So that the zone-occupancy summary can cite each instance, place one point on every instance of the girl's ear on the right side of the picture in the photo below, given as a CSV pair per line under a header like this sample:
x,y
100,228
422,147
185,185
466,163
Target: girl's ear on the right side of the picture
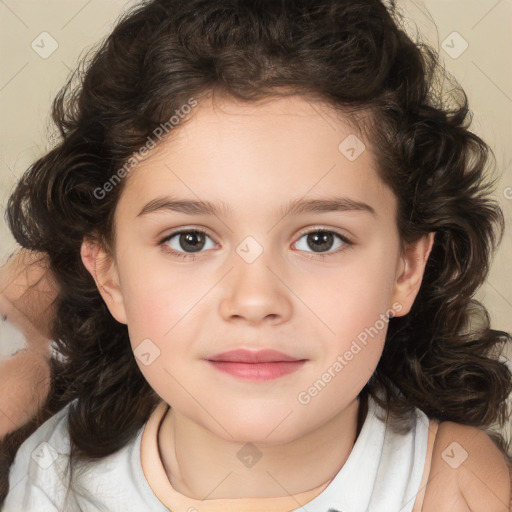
x,y
410,272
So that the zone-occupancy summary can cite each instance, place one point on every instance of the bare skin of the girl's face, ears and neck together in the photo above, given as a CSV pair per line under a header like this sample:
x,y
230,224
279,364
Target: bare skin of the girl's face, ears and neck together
x,y
256,158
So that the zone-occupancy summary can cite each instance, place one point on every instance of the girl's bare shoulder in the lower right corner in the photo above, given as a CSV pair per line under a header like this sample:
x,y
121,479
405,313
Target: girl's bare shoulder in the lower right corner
x,y
466,460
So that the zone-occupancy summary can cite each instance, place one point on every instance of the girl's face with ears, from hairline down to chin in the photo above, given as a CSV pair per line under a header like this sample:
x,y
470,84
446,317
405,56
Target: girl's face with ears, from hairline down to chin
x,y
316,282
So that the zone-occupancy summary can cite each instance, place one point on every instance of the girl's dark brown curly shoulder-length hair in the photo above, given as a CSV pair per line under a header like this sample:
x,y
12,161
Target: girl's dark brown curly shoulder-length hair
x,y
442,357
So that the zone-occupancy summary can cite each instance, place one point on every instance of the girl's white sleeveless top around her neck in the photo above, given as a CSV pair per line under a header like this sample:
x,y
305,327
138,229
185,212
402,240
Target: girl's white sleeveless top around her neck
x,y
382,473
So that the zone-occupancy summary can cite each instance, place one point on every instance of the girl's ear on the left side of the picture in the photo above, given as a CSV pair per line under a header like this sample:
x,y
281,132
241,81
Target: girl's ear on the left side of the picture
x,y
103,269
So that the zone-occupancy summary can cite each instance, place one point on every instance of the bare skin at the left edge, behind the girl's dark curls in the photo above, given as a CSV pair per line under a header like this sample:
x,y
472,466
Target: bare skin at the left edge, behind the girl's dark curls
x,y
27,296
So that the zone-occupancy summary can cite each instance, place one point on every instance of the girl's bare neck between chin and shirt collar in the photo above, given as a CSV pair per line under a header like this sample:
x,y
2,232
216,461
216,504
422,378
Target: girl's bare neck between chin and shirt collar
x,y
200,464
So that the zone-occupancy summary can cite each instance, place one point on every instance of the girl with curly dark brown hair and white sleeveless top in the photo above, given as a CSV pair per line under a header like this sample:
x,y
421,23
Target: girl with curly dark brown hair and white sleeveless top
x,y
266,230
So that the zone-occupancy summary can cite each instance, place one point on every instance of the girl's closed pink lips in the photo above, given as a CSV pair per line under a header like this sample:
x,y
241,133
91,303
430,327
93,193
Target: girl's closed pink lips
x,y
255,365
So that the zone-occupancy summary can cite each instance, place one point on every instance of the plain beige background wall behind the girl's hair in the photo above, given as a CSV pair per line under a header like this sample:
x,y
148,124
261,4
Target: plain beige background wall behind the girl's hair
x,y
28,83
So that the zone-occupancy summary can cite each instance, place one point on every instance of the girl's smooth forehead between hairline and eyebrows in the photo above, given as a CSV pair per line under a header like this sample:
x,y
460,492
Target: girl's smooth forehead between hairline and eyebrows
x,y
253,154
